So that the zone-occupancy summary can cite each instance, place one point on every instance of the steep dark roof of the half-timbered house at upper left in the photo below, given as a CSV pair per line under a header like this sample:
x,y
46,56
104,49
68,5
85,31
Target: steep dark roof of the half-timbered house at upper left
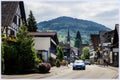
x,y
8,10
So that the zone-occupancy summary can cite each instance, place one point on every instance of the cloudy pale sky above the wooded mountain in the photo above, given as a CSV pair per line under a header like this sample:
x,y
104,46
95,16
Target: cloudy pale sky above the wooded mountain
x,y
105,12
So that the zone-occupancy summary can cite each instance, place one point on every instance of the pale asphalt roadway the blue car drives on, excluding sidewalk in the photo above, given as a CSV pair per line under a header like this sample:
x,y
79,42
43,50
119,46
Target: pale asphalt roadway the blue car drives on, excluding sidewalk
x,y
91,72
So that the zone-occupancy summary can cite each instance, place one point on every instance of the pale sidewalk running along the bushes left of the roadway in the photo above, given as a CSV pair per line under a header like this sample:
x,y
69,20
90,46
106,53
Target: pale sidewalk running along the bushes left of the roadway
x,y
53,71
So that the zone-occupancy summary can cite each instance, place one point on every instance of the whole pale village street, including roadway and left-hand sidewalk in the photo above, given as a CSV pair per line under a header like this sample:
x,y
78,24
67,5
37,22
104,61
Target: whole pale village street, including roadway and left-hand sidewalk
x,y
64,72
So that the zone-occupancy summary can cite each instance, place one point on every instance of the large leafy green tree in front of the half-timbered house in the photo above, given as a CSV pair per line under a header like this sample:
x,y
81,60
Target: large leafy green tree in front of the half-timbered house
x,y
26,56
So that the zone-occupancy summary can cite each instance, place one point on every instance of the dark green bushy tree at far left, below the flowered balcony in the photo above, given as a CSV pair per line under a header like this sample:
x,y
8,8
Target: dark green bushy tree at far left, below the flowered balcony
x,y
10,58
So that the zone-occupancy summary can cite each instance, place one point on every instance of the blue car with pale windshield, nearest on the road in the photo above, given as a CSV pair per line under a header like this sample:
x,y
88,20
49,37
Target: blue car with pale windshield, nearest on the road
x,y
79,64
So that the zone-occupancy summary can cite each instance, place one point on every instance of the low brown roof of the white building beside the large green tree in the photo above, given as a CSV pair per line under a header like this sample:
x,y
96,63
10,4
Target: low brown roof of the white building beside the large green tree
x,y
53,35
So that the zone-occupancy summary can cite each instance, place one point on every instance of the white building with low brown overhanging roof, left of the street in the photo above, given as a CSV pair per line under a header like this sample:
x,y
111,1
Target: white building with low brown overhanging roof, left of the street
x,y
45,44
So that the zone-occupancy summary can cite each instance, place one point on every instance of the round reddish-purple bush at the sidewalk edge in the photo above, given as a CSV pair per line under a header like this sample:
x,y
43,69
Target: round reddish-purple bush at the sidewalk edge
x,y
44,67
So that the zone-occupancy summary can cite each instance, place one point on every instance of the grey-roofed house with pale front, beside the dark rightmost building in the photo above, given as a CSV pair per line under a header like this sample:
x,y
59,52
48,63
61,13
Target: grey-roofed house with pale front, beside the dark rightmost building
x,y
106,40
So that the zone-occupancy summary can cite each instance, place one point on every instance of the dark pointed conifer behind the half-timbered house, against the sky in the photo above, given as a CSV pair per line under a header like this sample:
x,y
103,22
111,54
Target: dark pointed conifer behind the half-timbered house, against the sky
x,y
32,26
